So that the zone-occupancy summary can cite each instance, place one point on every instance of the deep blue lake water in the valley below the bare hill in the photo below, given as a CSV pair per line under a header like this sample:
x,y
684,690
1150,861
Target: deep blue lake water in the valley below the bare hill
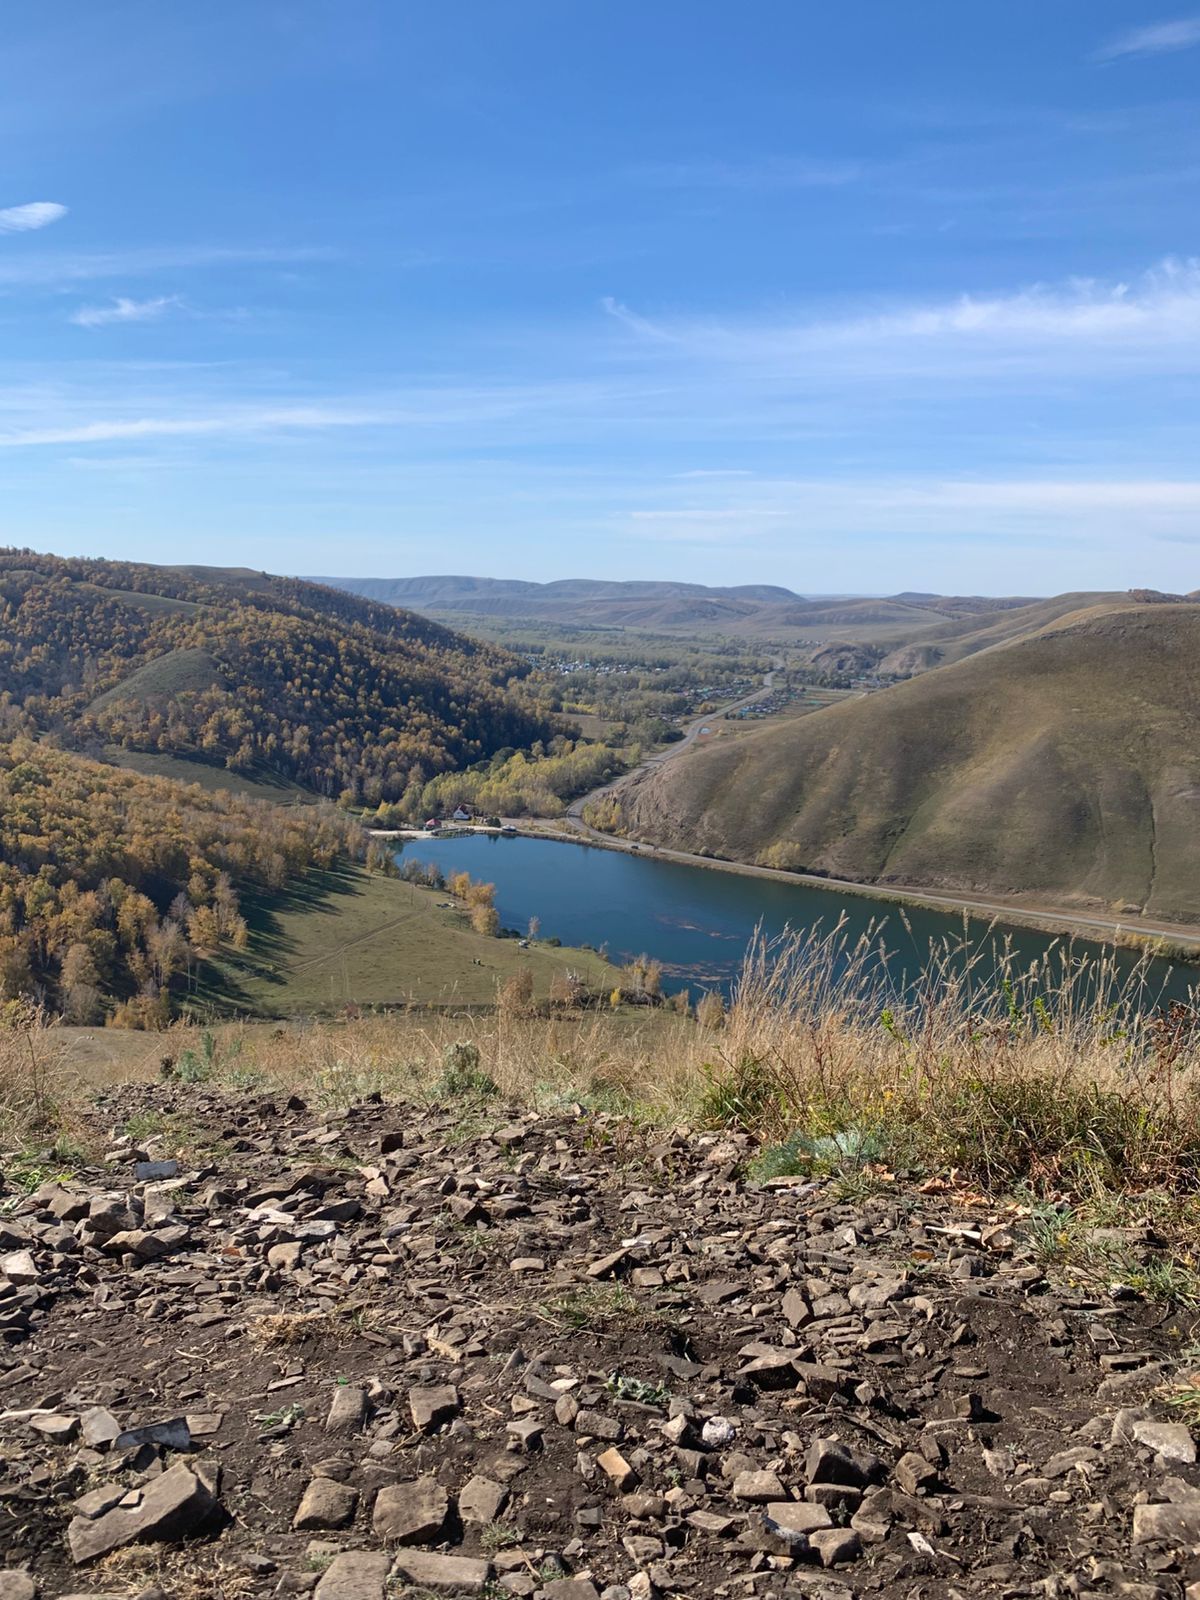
x,y
698,922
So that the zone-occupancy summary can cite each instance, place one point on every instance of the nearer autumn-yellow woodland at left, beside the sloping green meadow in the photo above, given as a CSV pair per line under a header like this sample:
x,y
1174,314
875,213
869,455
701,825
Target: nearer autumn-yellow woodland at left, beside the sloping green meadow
x,y
116,887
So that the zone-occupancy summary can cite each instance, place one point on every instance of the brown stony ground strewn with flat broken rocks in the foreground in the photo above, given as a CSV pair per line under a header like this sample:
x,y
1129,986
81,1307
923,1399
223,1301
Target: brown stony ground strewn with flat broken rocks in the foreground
x,y
271,1351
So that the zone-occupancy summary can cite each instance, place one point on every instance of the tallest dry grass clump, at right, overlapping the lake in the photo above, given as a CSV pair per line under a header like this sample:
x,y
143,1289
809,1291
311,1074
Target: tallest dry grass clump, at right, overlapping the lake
x,y
1049,1073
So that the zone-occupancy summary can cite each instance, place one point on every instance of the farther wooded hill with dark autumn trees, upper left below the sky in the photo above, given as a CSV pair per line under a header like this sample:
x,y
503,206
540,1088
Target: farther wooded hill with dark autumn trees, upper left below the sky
x,y
348,698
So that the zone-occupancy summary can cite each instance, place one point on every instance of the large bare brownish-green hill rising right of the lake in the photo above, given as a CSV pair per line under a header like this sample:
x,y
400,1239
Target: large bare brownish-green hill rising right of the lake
x,y
1065,766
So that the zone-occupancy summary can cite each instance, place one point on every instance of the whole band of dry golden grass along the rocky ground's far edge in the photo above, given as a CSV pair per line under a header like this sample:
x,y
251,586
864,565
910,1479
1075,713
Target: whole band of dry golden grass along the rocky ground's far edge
x,y
1066,1074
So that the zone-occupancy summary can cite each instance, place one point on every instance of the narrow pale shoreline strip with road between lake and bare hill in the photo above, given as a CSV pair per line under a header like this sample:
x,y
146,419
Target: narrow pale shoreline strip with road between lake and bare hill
x,y
1050,919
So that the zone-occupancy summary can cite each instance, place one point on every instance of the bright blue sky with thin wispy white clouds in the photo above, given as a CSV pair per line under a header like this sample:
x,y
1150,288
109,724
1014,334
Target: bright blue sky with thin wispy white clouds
x,y
850,298
